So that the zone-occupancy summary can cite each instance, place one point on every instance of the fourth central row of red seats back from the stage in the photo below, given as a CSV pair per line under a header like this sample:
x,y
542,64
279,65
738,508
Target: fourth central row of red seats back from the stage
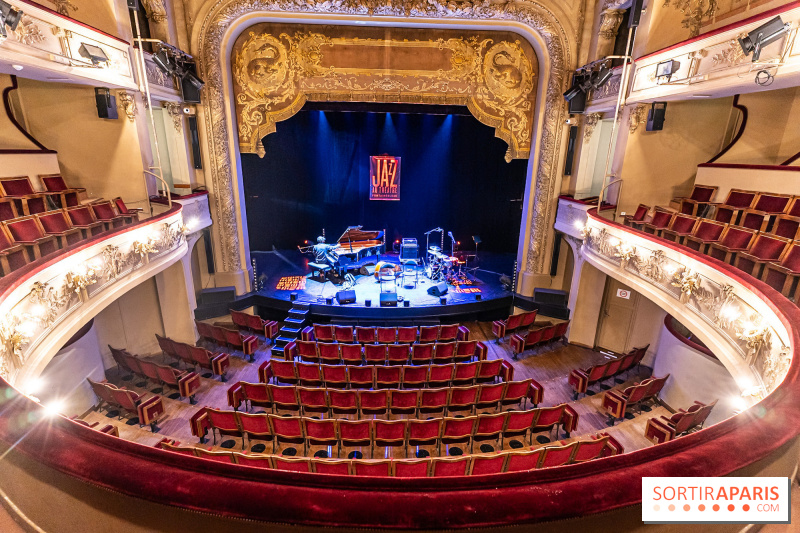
x,y
416,402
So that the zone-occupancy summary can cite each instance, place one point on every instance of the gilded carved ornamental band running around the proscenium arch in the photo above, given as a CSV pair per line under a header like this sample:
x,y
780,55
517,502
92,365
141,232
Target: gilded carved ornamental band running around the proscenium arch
x,y
223,17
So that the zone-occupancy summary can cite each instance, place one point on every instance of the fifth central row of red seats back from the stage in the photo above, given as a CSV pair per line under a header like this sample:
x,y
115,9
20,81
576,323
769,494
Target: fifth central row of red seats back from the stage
x,y
382,433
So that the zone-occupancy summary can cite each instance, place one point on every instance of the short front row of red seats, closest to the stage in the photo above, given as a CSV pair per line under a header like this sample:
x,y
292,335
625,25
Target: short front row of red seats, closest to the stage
x,y
384,335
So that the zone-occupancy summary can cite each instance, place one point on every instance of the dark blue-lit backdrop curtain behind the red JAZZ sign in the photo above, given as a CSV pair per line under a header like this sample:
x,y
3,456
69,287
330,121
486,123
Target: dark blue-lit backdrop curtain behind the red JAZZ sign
x,y
315,175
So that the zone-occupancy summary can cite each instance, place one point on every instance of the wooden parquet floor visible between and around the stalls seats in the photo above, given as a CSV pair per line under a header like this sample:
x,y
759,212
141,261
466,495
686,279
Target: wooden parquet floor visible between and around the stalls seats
x,y
549,366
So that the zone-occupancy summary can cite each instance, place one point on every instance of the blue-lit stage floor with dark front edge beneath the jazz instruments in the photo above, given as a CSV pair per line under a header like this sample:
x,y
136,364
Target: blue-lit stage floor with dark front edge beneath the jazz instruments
x,y
282,274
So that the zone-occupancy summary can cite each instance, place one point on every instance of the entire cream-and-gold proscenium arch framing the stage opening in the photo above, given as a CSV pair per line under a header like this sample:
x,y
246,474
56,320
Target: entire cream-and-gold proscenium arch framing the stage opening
x,y
222,24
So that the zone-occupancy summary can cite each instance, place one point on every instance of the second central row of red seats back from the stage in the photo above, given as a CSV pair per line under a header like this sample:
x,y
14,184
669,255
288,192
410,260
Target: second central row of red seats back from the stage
x,y
379,354
